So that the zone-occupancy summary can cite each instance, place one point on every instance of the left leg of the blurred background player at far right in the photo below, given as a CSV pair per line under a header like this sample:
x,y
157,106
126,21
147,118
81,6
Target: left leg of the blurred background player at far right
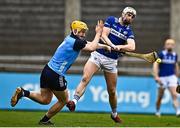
x,y
159,99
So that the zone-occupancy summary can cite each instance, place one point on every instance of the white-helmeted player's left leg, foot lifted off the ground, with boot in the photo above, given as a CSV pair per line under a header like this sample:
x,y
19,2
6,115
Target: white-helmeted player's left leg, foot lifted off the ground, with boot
x,y
89,69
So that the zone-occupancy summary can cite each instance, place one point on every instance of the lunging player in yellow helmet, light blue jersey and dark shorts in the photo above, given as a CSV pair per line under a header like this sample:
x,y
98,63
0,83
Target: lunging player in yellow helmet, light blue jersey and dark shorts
x,y
52,79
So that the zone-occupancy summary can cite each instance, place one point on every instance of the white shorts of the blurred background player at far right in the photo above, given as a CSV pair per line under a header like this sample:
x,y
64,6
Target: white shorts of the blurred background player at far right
x,y
169,81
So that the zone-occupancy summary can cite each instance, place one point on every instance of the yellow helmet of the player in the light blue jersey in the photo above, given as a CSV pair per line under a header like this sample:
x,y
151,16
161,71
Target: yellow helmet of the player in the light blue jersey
x,y
78,26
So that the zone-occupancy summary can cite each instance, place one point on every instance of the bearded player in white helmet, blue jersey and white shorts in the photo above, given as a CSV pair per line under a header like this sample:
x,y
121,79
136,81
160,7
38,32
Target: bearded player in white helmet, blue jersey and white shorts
x,y
118,34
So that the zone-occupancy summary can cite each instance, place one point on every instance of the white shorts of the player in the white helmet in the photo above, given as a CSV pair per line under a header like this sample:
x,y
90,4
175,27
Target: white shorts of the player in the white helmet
x,y
103,62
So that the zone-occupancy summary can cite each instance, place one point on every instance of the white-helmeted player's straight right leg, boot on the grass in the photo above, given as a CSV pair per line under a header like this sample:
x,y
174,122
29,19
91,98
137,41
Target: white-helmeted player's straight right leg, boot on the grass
x,y
111,80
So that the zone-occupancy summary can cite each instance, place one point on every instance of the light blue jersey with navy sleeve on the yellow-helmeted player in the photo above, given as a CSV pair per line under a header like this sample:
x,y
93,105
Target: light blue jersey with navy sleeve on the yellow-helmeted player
x,y
66,54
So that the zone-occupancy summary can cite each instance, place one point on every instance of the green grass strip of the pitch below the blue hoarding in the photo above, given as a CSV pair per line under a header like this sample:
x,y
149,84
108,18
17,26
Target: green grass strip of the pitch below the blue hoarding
x,y
68,119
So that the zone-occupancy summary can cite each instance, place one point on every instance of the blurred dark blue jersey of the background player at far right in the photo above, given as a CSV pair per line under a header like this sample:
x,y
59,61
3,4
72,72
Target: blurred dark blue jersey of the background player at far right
x,y
169,59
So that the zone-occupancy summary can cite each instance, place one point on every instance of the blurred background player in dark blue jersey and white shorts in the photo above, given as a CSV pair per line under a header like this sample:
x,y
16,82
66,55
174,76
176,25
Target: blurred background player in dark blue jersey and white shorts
x,y
166,75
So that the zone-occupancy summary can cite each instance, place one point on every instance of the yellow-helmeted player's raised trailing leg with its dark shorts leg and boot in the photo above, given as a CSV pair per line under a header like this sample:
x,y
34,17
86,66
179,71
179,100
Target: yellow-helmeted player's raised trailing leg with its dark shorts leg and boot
x,y
45,94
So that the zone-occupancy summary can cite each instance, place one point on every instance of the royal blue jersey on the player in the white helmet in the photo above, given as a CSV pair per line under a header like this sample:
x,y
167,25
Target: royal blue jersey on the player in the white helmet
x,y
118,35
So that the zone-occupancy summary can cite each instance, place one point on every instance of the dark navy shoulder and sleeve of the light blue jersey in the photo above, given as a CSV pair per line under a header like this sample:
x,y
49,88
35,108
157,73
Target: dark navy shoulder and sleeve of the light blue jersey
x,y
79,43
